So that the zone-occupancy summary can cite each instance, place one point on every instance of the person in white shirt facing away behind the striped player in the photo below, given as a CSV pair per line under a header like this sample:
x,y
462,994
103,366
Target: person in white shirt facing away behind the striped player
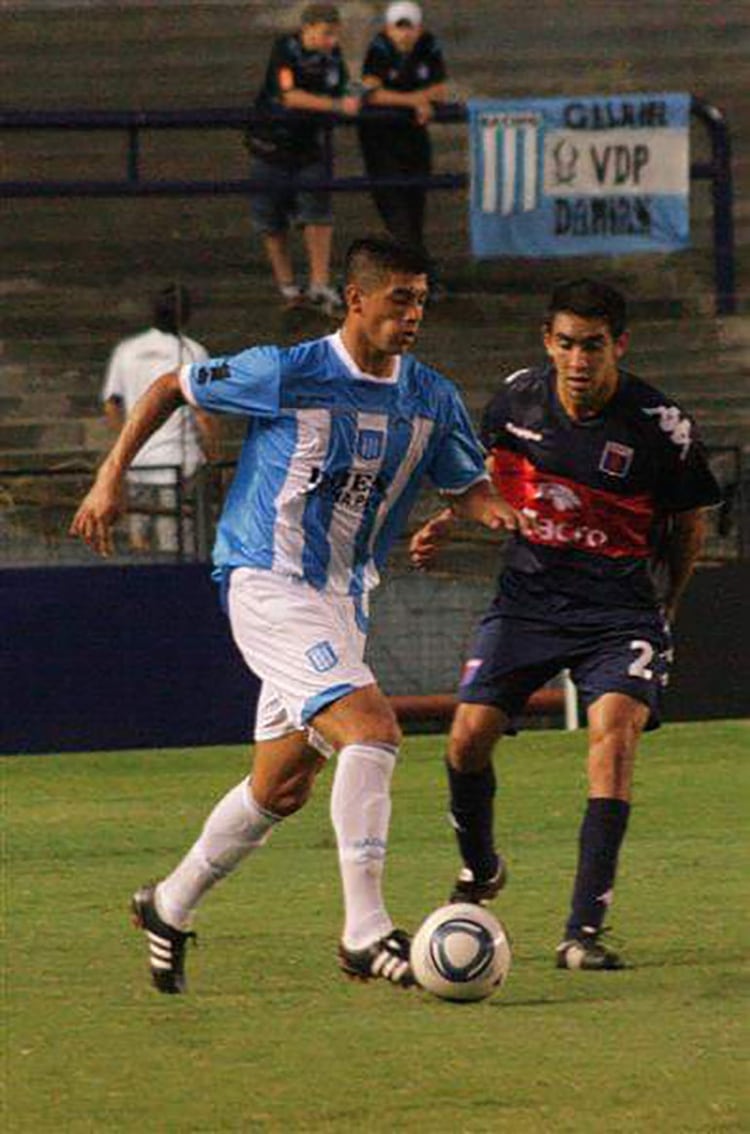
x,y
176,451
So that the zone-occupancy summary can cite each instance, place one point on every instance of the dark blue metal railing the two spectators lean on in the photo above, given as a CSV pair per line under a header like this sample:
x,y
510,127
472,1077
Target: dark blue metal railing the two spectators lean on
x,y
718,170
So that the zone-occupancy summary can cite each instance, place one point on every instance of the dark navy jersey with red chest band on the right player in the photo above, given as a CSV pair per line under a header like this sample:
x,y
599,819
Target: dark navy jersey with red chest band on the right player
x,y
601,492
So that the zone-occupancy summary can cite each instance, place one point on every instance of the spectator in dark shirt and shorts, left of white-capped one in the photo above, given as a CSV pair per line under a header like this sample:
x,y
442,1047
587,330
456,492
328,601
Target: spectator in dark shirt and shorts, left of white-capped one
x,y
306,72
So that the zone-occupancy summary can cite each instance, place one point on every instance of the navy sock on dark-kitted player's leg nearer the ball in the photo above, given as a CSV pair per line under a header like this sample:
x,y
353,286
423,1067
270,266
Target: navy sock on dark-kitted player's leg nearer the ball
x,y
473,797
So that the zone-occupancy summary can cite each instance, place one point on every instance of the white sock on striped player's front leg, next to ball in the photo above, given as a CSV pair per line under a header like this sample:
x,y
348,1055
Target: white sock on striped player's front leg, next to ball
x,y
361,811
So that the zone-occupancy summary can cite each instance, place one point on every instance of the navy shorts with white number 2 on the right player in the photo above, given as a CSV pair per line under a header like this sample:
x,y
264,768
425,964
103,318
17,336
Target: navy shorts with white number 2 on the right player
x,y
630,651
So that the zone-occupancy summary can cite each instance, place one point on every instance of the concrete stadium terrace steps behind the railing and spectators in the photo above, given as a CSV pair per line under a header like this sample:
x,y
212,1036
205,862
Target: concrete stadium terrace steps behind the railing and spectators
x,y
77,273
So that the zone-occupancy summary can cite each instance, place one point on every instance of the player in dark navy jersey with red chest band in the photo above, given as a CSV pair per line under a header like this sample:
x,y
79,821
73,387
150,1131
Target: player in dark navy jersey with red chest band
x,y
616,481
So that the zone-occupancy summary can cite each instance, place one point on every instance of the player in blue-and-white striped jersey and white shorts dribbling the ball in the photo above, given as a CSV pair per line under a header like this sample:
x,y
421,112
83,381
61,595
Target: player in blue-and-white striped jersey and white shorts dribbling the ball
x,y
342,433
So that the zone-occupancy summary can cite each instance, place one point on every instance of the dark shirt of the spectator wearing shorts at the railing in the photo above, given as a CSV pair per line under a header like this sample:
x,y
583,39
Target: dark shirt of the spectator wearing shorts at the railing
x,y
316,72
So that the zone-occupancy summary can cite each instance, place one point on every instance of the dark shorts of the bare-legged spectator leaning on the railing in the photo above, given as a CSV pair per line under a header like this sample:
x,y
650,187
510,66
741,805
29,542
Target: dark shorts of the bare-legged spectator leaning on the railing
x,y
275,209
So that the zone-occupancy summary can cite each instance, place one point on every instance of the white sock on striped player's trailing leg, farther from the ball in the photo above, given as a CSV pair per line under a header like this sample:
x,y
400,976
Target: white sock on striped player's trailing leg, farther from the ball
x,y
235,827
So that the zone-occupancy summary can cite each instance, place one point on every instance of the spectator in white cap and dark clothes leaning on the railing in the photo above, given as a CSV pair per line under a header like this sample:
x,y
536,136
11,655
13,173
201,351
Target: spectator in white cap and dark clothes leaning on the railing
x,y
403,70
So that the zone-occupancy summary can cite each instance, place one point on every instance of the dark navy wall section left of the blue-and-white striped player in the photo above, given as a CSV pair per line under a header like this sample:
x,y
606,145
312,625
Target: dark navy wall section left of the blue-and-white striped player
x,y
116,658
